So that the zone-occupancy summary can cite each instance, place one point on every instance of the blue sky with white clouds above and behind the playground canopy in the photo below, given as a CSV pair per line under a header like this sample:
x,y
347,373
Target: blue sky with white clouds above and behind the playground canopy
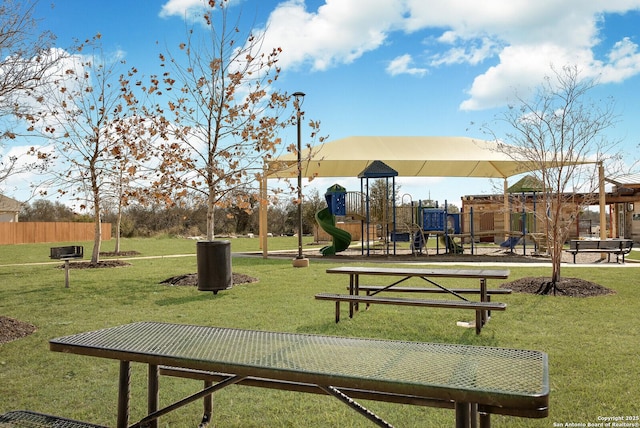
x,y
399,67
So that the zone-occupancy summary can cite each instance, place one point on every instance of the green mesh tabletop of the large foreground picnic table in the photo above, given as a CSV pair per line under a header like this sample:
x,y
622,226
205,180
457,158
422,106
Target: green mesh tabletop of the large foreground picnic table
x,y
508,380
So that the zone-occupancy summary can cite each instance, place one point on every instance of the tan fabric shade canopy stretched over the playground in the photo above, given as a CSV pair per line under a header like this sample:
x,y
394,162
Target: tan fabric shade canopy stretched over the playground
x,y
410,156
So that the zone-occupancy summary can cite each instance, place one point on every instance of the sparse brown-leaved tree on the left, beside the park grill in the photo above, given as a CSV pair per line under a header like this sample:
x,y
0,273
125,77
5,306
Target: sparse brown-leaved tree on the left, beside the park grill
x,y
89,111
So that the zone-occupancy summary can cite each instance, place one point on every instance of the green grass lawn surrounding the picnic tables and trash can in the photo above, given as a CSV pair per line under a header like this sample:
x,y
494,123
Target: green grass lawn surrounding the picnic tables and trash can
x,y
593,343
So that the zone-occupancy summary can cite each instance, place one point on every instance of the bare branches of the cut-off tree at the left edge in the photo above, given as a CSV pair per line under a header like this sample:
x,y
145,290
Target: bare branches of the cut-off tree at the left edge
x,y
26,57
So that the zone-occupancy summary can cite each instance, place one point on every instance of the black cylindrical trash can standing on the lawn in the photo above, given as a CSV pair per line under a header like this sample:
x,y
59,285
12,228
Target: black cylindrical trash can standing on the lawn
x,y
214,266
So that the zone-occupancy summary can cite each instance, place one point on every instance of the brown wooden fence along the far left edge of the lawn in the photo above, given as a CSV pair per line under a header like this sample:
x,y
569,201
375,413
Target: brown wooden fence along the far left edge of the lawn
x,y
34,232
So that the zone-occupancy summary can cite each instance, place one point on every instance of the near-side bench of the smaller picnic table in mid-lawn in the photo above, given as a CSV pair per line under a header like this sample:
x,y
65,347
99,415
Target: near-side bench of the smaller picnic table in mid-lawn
x,y
479,307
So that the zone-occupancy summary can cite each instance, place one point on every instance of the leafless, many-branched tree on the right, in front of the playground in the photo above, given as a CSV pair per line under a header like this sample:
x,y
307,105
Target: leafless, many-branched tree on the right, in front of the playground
x,y
560,133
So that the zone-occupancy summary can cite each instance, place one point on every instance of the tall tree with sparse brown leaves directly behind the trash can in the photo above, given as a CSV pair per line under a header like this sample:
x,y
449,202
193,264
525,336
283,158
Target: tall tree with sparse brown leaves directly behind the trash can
x,y
224,110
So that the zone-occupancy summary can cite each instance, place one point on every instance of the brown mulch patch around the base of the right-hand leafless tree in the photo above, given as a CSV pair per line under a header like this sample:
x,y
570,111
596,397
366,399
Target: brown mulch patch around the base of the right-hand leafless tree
x,y
569,287
